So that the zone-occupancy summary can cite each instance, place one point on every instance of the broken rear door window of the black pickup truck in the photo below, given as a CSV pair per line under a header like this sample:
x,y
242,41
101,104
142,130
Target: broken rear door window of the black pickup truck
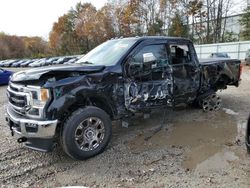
x,y
180,54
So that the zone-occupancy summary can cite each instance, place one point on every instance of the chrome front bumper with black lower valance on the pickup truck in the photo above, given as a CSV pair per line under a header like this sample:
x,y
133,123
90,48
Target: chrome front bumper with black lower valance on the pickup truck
x,y
39,135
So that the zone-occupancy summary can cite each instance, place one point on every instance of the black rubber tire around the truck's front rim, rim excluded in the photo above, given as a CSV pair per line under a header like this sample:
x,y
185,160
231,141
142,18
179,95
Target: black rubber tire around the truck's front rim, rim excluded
x,y
70,145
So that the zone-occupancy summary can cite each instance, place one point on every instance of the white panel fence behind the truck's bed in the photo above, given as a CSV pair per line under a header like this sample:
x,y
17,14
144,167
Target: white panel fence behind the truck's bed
x,y
236,50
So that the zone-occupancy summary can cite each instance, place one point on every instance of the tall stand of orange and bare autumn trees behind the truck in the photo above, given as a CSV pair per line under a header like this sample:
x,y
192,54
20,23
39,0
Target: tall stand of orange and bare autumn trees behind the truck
x,y
84,27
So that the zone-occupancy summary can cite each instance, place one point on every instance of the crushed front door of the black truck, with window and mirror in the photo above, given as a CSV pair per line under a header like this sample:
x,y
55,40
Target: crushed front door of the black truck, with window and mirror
x,y
148,82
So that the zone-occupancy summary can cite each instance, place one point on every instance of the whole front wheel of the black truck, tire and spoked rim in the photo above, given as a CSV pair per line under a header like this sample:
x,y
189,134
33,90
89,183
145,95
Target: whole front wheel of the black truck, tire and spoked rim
x,y
86,133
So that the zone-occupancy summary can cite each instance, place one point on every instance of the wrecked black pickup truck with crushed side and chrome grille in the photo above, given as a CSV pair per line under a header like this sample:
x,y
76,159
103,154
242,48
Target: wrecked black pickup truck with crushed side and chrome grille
x,y
74,105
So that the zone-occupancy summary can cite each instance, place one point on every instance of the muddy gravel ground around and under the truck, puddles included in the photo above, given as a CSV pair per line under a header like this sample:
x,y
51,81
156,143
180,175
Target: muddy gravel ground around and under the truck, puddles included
x,y
193,149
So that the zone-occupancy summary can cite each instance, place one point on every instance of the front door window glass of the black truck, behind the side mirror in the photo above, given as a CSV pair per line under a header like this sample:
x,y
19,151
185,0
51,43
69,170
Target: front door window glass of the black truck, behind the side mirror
x,y
159,51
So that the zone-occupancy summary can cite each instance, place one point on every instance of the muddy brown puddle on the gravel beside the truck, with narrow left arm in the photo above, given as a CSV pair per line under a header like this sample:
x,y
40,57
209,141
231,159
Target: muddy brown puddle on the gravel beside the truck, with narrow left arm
x,y
201,134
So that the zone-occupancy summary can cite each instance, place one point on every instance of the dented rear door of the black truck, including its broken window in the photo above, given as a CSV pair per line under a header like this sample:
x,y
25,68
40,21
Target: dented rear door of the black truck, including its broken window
x,y
186,72
